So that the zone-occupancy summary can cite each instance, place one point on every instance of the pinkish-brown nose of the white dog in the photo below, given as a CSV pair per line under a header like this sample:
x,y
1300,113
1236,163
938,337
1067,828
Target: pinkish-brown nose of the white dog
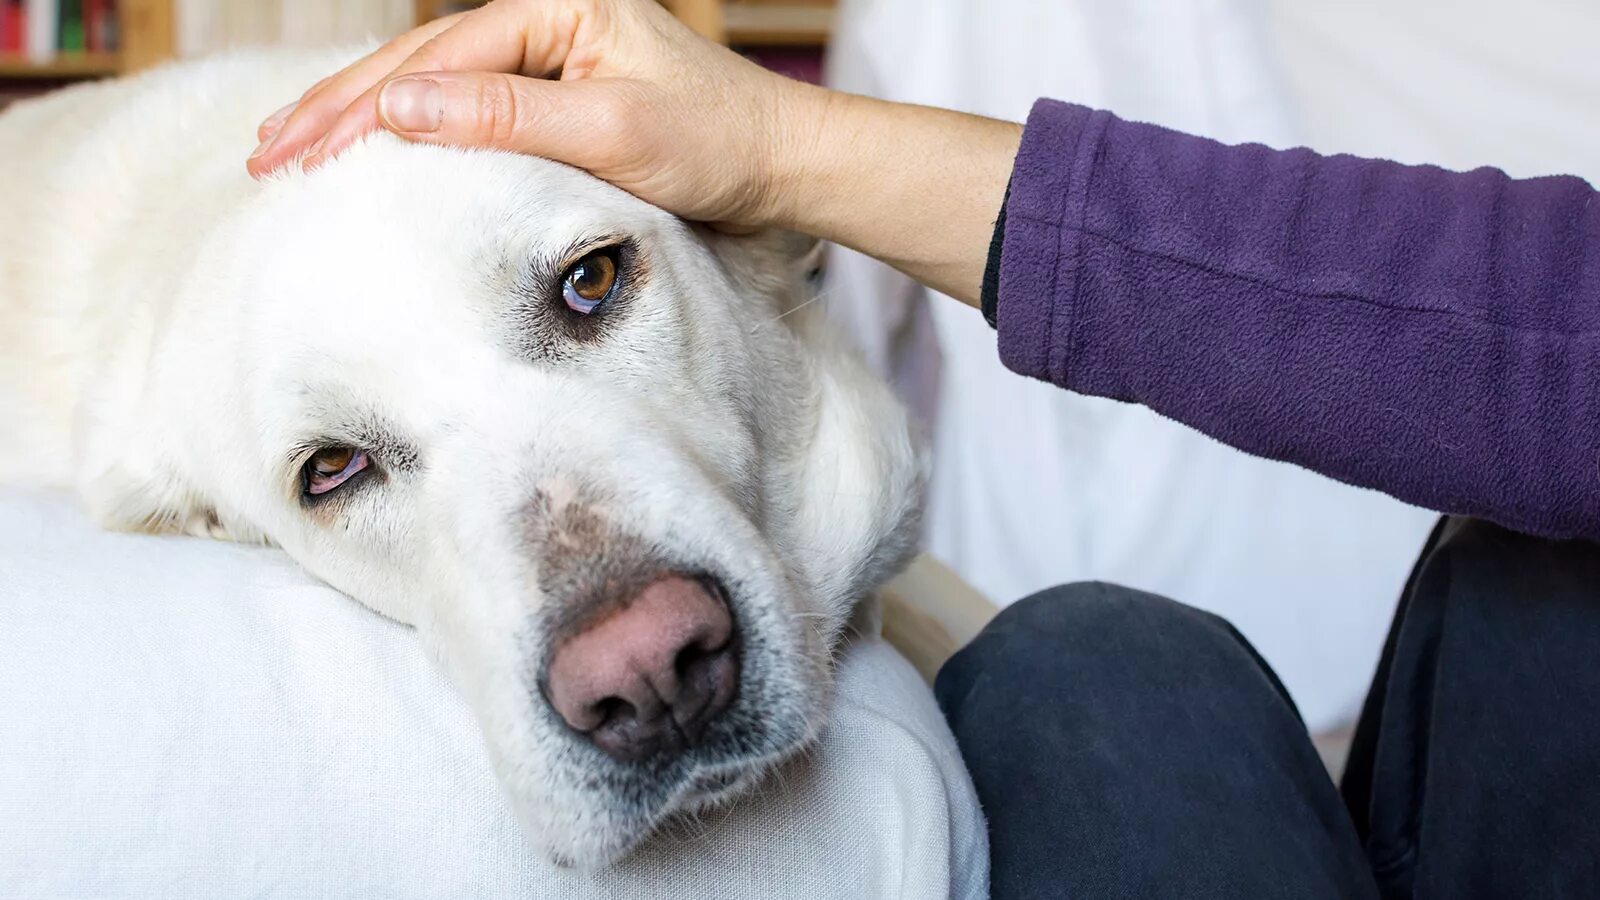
x,y
649,680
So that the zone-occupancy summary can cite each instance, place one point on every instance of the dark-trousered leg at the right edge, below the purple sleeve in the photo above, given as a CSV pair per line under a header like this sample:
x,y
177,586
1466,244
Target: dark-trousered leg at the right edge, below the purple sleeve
x,y
1476,768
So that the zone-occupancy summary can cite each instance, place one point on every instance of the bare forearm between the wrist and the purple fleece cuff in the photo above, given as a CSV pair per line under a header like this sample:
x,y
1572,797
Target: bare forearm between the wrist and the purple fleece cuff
x,y
914,187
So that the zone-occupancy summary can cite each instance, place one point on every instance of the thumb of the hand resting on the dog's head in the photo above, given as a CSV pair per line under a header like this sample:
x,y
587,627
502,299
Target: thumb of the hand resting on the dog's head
x,y
510,113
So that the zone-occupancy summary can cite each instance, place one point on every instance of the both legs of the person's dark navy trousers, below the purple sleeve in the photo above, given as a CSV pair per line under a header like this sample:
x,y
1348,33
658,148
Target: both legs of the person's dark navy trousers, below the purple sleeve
x,y
1126,745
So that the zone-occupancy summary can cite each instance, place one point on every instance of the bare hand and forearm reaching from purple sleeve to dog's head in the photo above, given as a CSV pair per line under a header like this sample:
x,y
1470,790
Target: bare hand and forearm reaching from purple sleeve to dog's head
x,y
626,92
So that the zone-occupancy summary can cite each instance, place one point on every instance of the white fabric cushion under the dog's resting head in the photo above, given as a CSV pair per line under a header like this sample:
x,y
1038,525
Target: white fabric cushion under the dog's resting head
x,y
185,718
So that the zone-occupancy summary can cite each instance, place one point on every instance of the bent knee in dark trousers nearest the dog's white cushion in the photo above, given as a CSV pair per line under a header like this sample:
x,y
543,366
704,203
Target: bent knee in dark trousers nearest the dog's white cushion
x,y
1126,745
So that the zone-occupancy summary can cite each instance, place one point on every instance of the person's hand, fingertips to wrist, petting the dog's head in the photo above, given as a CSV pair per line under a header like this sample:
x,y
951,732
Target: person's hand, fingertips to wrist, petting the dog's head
x,y
615,87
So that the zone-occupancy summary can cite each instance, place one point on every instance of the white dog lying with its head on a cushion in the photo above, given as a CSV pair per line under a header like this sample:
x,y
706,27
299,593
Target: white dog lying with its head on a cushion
x,y
625,486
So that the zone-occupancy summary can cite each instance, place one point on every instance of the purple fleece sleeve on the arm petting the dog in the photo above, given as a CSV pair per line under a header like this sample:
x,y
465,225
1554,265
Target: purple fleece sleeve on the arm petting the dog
x,y
1430,334
